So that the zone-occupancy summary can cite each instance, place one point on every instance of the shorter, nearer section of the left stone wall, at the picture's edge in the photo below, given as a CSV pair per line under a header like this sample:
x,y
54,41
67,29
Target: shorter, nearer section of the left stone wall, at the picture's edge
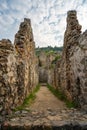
x,y
8,88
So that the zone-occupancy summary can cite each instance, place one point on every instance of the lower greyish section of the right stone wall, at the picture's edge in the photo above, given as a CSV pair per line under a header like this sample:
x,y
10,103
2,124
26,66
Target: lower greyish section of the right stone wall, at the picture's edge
x,y
79,71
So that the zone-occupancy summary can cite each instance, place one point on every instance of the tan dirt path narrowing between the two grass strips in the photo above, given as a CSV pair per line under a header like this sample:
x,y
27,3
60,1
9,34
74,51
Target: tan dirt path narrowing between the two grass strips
x,y
46,100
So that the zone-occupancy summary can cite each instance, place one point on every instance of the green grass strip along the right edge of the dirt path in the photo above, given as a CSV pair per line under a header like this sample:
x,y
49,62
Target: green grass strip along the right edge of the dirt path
x,y
62,97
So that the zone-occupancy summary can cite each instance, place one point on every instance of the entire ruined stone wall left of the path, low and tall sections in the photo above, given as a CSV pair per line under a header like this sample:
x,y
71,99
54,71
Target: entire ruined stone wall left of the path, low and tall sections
x,y
18,68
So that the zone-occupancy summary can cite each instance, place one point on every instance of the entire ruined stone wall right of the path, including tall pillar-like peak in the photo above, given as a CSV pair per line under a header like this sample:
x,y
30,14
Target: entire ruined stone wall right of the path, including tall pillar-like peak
x,y
70,74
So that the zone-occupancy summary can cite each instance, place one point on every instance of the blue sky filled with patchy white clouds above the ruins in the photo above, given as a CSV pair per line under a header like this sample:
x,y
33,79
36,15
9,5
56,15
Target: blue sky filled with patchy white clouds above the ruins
x,y
48,18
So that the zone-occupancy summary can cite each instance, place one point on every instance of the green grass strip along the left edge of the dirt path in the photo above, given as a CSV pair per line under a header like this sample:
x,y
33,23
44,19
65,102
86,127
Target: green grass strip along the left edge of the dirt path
x,y
29,99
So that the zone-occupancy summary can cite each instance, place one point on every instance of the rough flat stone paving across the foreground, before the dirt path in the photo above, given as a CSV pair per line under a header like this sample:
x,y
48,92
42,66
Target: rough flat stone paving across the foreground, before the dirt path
x,y
47,120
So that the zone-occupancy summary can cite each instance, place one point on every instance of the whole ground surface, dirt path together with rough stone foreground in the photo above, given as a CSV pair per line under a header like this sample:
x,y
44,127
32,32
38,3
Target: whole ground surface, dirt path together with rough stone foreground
x,y
46,113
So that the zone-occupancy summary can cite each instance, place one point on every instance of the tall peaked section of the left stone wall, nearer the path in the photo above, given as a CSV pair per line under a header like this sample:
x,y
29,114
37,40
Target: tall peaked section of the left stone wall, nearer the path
x,y
26,60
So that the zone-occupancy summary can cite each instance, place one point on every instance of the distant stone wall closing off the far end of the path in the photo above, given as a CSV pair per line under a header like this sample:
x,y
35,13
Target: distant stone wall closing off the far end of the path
x,y
46,69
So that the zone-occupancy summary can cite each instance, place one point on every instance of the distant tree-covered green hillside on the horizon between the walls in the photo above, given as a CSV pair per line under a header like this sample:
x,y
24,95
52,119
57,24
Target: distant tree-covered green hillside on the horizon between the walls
x,y
49,49
